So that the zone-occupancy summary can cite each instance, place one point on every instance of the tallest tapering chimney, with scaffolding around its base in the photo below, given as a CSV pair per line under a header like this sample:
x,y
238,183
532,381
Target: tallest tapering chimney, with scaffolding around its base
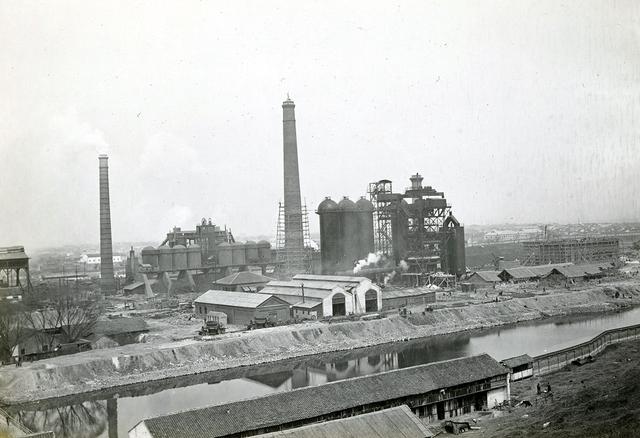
x,y
294,237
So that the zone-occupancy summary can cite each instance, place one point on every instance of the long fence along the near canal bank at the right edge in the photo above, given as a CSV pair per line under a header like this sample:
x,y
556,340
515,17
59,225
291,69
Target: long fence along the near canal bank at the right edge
x,y
555,360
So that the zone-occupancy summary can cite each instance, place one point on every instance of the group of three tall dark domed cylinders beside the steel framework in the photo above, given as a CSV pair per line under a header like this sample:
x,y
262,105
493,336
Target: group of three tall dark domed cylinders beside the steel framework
x,y
346,233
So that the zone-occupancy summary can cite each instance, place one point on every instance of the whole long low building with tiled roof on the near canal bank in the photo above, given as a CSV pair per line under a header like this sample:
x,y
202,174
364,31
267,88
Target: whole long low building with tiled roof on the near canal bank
x,y
434,392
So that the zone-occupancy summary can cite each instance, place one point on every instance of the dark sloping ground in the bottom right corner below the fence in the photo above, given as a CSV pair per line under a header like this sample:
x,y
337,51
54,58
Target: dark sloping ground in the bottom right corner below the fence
x,y
598,399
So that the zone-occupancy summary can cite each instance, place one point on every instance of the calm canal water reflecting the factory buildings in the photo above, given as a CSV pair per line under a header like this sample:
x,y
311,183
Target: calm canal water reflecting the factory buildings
x,y
112,414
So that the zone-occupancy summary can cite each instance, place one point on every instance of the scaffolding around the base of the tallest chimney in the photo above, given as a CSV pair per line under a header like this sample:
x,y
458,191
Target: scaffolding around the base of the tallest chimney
x,y
293,261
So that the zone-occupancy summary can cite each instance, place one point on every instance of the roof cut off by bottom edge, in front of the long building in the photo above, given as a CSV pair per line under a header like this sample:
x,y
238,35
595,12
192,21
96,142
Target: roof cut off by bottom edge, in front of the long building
x,y
397,422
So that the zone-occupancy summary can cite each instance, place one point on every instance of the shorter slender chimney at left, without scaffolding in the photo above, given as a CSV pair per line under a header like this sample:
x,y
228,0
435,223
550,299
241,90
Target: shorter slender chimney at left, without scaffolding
x,y
107,282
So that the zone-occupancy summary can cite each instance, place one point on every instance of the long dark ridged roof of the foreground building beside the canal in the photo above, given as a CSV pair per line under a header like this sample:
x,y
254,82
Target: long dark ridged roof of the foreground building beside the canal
x,y
312,402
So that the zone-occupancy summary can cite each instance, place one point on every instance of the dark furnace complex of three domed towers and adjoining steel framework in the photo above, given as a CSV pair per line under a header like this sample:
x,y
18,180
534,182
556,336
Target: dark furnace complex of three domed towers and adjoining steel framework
x,y
416,227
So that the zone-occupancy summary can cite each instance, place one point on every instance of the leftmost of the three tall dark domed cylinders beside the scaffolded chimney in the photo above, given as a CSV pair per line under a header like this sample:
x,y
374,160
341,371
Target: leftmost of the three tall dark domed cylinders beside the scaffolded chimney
x,y
330,237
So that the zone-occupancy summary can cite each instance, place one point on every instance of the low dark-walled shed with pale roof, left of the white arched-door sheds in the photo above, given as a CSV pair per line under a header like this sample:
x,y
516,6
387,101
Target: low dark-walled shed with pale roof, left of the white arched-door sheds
x,y
241,307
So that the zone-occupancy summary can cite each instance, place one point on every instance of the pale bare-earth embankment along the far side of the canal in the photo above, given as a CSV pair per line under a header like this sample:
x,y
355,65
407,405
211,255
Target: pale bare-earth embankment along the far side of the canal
x,y
144,362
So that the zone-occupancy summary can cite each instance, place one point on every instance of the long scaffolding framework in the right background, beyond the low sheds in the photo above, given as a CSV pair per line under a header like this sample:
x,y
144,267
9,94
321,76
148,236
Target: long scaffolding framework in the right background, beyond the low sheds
x,y
574,250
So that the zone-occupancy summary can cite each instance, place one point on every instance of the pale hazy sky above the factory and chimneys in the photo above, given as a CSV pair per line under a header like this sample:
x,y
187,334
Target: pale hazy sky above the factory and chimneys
x,y
520,111
